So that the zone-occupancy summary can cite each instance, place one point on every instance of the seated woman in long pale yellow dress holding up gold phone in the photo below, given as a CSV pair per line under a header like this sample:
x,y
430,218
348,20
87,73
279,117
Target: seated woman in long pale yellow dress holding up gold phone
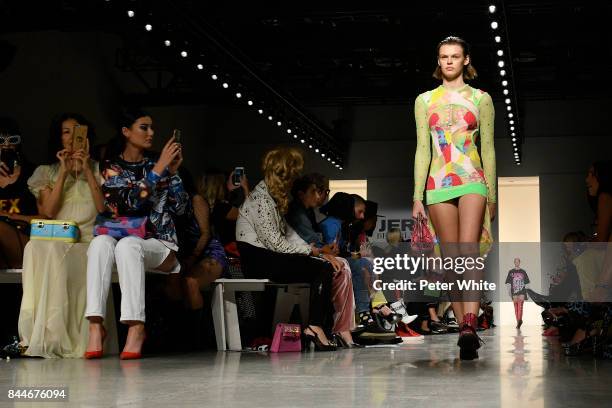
x,y
51,320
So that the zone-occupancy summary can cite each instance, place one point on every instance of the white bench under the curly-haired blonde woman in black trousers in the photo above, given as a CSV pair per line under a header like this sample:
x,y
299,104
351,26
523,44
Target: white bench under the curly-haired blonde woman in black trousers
x,y
225,311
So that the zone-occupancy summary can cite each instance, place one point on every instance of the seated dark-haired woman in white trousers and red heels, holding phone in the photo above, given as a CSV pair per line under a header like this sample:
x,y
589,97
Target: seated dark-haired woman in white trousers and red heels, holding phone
x,y
135,185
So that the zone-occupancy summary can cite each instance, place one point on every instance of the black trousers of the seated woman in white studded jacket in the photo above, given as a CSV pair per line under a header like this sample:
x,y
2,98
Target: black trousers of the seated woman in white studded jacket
x,y
261,263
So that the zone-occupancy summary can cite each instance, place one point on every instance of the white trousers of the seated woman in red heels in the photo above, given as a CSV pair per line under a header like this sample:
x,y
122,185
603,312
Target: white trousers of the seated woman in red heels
x,y
133,257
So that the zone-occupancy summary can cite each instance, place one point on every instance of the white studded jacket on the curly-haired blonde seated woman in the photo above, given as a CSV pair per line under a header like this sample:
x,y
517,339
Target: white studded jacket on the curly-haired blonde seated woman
x,y
262,225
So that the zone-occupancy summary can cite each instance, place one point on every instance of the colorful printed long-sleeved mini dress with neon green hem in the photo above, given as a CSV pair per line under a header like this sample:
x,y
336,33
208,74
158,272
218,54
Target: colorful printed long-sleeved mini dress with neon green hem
x,y
450,125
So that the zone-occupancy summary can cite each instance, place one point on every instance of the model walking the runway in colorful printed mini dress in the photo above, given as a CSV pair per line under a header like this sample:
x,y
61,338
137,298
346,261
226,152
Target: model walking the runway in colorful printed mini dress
x,y
451,121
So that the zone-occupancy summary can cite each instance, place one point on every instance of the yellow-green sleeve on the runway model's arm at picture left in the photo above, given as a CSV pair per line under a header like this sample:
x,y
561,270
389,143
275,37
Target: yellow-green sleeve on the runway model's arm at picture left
x,y
422,158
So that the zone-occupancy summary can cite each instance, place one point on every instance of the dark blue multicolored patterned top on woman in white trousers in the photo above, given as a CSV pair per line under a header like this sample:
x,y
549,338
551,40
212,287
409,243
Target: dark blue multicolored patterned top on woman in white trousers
x,y
134,189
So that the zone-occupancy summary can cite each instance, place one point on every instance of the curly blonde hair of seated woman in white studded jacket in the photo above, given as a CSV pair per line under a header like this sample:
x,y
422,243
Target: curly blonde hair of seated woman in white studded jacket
x,y
281,166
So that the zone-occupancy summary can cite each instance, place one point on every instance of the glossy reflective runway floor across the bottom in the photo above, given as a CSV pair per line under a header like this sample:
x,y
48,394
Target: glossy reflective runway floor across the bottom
x,y
520,369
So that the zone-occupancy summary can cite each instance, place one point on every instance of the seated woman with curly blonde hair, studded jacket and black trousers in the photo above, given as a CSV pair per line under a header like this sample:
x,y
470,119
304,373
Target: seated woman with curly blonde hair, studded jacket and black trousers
x,y
267,253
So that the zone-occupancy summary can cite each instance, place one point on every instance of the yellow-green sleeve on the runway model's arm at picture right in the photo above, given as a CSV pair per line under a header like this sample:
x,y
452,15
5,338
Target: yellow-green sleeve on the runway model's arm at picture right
x,y
487,148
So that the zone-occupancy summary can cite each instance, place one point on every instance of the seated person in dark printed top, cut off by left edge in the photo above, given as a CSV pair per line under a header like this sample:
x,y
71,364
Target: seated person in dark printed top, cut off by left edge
x,y
17,204
